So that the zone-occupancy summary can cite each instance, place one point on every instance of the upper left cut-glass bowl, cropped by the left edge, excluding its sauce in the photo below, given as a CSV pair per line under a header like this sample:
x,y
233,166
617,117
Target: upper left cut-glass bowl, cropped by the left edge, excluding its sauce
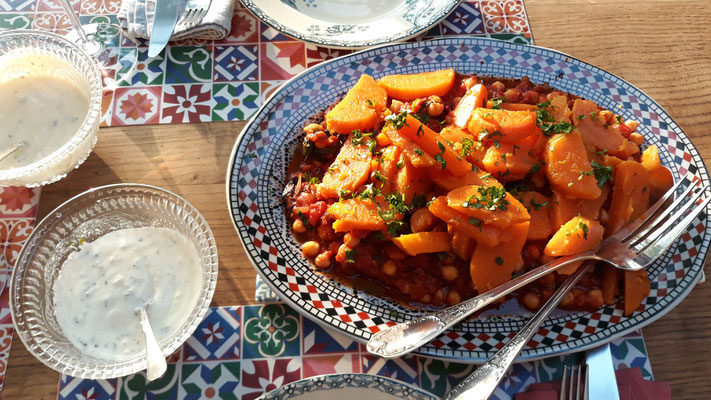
x,y
84,72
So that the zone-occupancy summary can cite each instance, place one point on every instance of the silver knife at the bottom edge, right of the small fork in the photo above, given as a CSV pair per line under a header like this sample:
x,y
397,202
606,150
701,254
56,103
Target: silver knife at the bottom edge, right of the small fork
x,y
601,374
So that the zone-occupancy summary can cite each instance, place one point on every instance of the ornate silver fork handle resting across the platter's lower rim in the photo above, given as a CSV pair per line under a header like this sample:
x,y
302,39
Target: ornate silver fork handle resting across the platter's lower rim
x,y
405,337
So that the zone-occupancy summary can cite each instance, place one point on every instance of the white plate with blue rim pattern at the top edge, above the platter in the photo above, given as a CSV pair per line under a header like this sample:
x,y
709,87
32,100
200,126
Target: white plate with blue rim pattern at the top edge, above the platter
x,y
351,23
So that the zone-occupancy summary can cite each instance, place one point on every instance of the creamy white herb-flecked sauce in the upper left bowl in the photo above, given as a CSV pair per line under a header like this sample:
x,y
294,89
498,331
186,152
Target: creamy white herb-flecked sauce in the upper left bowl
x,y
40,107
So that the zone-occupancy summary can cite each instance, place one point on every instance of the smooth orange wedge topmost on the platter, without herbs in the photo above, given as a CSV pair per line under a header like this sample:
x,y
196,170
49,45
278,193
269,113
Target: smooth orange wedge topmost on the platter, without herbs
x,y
412,86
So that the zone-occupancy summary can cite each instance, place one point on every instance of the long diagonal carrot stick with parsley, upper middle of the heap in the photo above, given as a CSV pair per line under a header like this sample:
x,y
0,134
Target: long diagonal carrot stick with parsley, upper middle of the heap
x,y
434,145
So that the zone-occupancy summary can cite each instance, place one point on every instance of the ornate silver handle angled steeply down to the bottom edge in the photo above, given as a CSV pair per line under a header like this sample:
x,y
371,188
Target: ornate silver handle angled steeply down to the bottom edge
x,y
482,382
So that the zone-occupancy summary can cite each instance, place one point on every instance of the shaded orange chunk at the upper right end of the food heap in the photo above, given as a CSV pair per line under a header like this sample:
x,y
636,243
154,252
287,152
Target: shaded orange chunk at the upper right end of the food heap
x,y
593,130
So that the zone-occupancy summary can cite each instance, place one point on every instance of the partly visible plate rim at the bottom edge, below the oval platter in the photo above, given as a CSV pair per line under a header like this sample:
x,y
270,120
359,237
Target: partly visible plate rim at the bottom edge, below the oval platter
x,y
347,387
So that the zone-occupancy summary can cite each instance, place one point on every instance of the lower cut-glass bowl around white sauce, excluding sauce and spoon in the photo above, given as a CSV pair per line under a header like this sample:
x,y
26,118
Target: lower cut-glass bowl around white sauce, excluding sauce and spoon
x,y
88,216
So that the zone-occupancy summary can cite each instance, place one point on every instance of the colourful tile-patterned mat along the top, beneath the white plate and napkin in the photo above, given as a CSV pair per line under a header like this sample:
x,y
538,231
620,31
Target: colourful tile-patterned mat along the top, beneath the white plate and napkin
x,y
251,52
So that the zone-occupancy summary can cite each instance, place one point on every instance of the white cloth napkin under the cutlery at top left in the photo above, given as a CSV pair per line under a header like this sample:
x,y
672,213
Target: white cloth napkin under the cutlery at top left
x,y
136,20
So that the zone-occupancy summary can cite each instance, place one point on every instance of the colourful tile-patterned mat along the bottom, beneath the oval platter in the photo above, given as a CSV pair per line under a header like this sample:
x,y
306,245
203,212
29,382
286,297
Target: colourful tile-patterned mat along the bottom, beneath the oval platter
x,y
210,364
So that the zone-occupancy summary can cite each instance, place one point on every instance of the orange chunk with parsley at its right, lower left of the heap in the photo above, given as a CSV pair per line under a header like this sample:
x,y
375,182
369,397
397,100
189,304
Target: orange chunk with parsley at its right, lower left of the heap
x,y
356,213
